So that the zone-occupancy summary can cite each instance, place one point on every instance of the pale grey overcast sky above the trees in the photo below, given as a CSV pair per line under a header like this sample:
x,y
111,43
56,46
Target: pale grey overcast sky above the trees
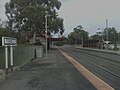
x,y
91,14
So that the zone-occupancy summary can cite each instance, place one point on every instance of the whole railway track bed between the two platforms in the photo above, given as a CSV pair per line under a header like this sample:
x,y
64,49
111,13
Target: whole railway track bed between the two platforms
x,y
102,67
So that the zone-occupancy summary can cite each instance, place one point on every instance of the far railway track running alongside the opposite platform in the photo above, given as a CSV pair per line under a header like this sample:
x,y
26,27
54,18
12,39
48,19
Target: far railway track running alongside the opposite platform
x,y
104,62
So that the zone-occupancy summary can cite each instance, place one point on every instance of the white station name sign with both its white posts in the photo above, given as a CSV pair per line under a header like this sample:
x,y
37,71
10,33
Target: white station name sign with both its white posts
x,y
8,41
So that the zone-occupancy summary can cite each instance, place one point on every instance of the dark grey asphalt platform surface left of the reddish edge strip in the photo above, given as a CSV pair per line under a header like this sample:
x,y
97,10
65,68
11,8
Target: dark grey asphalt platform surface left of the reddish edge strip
x,y
53,73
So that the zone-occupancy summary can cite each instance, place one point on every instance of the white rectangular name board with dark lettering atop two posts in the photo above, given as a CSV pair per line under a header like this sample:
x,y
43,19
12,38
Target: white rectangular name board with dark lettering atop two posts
x,y
6,41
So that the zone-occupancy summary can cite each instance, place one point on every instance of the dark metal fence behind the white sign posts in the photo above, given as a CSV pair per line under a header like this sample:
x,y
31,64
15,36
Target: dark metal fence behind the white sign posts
x,y
21,55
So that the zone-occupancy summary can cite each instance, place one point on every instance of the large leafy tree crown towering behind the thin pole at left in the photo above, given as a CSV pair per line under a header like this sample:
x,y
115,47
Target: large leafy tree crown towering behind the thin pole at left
x,y
29,15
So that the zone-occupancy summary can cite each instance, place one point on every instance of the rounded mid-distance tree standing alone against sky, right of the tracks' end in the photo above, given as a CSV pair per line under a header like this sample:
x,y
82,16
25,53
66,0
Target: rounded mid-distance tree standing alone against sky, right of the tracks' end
x,y
78,35
